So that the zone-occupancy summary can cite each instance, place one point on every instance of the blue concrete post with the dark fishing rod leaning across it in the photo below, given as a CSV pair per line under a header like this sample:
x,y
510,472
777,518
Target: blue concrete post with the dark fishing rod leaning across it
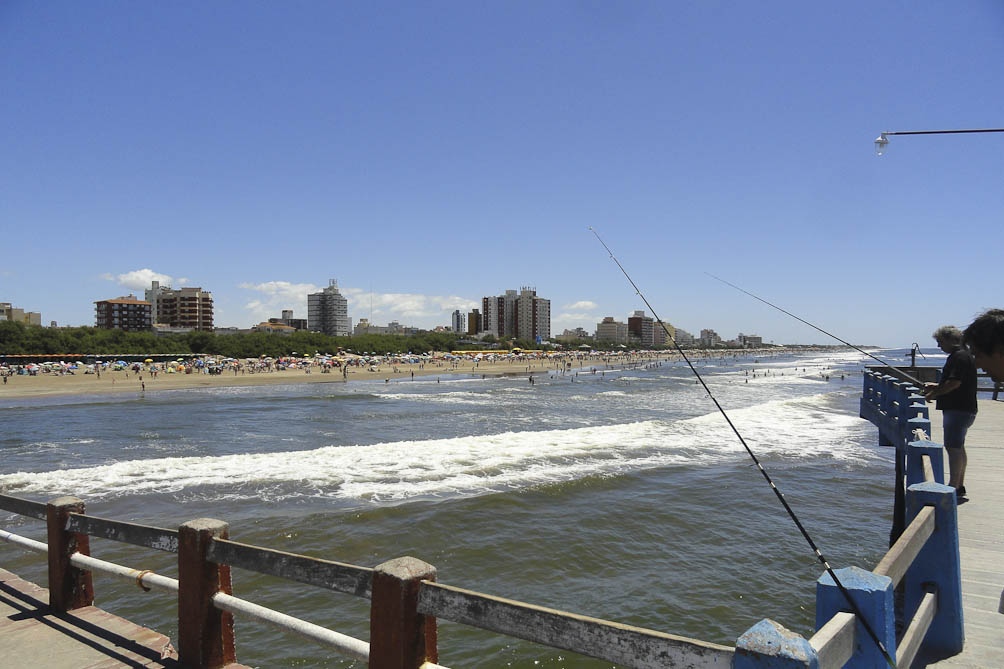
x,y
873,595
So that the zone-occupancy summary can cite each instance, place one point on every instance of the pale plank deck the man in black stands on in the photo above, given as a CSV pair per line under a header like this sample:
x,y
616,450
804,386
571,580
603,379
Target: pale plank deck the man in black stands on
x,y
981,540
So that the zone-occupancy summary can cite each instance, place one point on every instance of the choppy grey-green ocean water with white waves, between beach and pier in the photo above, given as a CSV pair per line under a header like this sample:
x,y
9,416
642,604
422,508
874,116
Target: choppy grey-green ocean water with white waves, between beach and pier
x,y
610,492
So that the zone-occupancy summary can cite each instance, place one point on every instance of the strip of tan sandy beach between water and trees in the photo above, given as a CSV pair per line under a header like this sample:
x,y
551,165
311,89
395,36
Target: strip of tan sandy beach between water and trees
x,y
122,382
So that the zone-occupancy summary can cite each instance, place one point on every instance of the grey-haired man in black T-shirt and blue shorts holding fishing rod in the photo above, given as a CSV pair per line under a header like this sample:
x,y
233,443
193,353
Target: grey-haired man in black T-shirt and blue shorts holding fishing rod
x,y
956,395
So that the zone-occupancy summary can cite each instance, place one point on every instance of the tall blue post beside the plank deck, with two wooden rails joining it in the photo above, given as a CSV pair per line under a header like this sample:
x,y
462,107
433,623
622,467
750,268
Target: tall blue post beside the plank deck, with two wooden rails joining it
x,y
938,564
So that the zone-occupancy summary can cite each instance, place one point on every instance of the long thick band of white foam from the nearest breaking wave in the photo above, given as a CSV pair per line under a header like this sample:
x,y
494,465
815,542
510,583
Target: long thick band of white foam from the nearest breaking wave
x,y
473,465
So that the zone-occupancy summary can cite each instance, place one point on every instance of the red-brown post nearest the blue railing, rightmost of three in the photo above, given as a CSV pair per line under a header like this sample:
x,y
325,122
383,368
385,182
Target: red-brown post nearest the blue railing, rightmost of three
x,y
401,637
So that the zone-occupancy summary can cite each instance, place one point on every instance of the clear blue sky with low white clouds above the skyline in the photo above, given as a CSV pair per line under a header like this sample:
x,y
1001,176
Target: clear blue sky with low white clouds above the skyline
x,y
426,155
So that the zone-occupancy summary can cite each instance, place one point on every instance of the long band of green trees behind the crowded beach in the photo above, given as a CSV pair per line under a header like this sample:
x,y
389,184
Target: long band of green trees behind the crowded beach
x,y
20,339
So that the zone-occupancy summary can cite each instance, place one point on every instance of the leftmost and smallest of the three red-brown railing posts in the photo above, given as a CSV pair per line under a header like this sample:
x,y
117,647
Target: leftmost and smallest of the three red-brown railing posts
x,y
70,588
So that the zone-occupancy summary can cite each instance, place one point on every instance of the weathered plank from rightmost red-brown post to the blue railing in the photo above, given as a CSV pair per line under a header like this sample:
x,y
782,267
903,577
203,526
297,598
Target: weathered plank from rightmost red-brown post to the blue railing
x,y
623,644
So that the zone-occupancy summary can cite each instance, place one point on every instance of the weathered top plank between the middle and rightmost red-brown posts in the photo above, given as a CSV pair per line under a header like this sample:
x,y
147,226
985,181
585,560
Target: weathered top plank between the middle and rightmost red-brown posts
x,y
339,577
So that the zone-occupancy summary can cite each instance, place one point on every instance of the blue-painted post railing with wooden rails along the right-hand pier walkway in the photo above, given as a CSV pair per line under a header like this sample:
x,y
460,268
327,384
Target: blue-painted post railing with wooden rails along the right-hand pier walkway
x,y
924,561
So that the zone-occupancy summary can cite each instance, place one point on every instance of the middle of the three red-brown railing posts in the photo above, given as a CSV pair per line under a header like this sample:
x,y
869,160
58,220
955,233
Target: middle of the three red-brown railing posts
x,y
205,634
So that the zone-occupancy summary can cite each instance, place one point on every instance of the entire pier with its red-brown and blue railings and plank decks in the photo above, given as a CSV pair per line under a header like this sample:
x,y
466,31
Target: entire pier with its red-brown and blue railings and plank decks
x,y
948,561
